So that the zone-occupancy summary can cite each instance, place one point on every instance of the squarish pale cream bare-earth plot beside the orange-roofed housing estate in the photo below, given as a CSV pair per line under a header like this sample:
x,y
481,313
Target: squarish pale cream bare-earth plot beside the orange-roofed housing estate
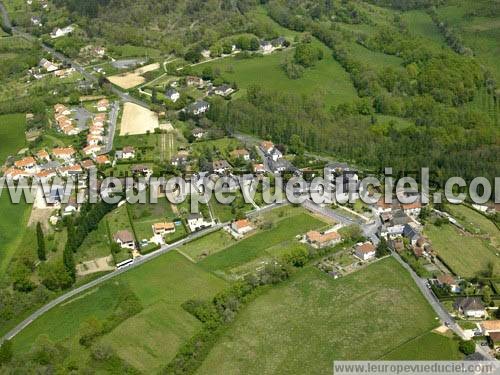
x,y
137,120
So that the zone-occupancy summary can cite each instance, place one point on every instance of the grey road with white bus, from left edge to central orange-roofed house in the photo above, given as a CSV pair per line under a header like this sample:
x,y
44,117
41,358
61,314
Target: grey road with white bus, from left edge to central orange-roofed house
x,y
137,262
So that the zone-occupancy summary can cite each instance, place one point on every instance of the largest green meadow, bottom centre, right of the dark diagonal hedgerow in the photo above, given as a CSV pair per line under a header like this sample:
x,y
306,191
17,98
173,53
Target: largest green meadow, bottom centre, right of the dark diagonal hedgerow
x,y
312,319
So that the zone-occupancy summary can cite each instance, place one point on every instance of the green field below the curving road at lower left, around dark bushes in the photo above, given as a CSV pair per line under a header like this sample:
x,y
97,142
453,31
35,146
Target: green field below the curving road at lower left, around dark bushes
x,y
147,340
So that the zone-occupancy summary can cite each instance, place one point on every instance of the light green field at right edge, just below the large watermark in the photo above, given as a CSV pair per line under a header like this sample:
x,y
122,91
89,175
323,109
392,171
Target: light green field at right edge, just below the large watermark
x,y
467,255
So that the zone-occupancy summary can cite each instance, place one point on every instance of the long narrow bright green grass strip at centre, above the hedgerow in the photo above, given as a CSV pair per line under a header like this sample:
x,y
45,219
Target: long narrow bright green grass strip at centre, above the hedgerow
x,y
255,246
